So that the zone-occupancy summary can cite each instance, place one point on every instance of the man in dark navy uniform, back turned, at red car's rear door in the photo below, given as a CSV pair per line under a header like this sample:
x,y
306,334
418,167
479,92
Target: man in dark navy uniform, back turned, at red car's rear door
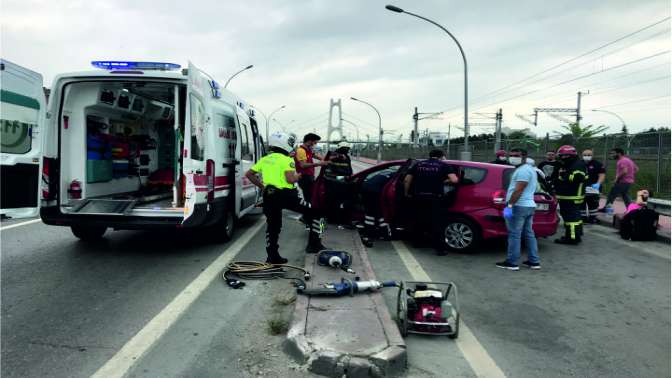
x,y
424,185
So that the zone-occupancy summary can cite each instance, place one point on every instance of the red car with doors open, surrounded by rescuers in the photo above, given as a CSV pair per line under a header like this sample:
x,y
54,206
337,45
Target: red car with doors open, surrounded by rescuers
x,y
476,212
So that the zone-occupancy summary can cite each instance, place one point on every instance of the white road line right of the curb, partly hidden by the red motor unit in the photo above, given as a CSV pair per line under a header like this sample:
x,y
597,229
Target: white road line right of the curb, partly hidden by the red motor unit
x,y
480,361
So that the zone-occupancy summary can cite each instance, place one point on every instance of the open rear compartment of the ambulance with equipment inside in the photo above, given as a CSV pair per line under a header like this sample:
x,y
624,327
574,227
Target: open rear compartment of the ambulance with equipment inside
x,y
120,149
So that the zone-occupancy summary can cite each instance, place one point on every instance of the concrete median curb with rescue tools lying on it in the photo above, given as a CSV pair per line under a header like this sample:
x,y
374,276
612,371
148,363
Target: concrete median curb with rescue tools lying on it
x,y
377,360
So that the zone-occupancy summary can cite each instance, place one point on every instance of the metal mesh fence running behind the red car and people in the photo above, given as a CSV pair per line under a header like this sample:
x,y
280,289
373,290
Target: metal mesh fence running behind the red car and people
x,y
650,151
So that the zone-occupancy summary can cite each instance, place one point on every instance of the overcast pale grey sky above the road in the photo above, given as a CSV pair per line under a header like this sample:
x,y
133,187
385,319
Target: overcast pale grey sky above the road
x,y
307,52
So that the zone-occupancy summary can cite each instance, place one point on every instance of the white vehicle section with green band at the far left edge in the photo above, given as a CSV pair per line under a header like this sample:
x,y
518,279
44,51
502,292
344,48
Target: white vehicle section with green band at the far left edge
x,y
22,110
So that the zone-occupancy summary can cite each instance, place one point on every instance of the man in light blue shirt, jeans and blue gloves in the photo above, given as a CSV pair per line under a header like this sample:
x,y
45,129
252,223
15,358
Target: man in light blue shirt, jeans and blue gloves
x,y
519,212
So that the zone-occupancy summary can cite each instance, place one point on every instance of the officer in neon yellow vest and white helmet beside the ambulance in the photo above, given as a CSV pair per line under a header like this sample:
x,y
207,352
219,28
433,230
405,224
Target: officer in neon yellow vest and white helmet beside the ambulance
x,y
278,185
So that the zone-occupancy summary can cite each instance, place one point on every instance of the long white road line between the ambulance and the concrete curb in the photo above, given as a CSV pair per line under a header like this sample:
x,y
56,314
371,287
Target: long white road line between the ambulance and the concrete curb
x,y
143,341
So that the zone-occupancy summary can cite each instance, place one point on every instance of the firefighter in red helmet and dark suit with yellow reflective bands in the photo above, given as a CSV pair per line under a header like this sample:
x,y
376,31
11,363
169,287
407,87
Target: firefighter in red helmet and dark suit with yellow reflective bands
x,y
570,188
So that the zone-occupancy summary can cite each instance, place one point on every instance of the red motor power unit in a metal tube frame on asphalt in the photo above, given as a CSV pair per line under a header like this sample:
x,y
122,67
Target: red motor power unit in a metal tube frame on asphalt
x,y
425,308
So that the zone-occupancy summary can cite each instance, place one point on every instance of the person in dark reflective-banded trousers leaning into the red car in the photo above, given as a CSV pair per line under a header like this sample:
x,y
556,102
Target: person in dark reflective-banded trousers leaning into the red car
x,y
374,222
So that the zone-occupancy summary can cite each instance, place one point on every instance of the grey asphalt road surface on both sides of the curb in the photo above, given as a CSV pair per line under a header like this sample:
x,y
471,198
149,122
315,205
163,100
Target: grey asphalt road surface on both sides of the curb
x,y
68,307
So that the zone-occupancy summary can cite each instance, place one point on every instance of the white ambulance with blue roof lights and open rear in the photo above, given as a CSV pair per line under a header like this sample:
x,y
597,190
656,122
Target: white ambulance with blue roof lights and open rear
x,y
146,145
